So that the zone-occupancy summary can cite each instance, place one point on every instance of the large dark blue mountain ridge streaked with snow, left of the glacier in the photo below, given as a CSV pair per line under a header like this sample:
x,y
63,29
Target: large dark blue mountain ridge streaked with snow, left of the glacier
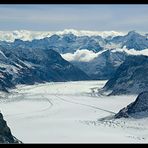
x,y
27,66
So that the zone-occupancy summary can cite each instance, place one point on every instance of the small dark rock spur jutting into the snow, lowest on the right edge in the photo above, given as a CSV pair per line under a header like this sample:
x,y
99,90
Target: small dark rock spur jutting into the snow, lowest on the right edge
x,y
137,109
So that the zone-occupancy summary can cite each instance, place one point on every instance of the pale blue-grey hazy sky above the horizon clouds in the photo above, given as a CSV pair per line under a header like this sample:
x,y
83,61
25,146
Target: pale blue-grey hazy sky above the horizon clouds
x,y
81,17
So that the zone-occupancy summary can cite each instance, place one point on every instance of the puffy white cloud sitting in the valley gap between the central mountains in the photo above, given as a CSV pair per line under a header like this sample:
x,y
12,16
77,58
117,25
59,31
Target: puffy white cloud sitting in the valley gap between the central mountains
x,y
83,55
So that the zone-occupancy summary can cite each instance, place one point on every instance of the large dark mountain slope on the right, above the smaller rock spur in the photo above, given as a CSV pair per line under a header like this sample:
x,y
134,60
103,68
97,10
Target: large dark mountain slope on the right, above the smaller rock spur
x,y
130,77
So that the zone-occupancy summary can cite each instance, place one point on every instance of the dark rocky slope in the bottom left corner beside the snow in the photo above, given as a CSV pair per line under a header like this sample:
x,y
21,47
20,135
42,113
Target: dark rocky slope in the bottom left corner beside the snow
x,y
5,134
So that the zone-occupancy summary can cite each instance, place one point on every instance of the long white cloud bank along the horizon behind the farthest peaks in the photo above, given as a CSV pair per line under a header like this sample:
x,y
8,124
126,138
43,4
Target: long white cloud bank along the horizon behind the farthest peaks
x,y
26,35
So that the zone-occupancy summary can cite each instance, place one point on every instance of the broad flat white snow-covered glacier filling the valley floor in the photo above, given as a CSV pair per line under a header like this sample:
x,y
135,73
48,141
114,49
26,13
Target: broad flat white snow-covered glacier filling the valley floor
x,y
70,112
